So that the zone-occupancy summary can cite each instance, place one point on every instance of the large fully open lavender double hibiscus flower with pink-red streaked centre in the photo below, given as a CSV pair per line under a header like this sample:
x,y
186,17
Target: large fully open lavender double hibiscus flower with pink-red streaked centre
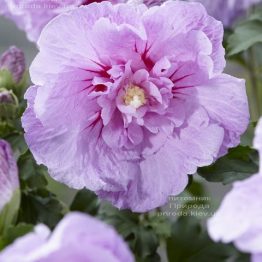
x,y
129,100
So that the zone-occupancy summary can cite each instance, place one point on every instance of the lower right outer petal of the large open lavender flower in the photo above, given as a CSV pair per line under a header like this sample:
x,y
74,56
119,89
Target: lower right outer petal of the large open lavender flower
x,y
164,172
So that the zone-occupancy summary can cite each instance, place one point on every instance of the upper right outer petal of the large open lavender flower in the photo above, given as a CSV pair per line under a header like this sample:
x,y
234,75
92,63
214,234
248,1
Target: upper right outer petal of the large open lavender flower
x,y
177,18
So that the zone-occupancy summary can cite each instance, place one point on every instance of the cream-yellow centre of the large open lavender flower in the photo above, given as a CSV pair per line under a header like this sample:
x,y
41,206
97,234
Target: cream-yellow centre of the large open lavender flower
x,y
135,96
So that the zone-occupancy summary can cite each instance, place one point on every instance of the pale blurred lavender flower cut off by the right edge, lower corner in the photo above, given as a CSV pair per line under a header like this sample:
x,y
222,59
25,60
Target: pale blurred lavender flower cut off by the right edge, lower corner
x,y
239,217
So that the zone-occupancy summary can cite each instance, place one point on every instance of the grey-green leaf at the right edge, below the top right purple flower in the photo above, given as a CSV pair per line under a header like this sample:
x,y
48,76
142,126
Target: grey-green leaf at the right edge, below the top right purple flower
x,y
246,34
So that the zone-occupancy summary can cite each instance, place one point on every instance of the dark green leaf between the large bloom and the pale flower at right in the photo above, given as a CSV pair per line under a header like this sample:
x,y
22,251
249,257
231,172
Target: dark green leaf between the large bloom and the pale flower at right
x,y
240,163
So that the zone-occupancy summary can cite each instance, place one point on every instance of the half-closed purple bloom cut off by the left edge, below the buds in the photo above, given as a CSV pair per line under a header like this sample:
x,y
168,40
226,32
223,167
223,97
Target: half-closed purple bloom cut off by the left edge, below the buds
x,y
8,174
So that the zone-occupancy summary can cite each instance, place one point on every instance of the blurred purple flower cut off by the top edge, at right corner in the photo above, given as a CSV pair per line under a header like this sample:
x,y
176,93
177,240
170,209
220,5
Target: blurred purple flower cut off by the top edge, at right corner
x,y
227,11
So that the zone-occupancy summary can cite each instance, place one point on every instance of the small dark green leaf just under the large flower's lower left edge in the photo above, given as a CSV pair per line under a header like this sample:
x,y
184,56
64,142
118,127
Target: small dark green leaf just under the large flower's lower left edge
x,y
85,201
